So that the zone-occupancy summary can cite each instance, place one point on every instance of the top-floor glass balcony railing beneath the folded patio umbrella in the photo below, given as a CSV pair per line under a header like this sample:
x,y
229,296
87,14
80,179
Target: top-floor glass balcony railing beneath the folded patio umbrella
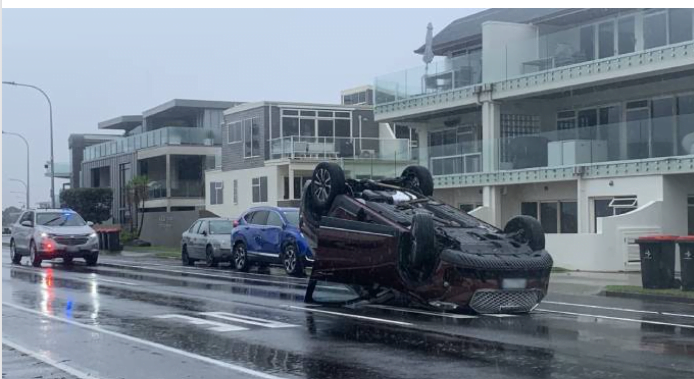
x,y
445,75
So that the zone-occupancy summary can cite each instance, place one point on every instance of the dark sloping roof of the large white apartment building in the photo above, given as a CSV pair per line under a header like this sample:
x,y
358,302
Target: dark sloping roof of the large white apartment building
x,y
470,27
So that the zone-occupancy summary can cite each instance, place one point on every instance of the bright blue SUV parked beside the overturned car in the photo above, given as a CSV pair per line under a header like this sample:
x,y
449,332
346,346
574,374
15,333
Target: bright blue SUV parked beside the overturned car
x,y
270,235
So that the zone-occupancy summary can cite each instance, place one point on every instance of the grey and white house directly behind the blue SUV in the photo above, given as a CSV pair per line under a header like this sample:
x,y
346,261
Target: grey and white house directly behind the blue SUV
x,y
269,150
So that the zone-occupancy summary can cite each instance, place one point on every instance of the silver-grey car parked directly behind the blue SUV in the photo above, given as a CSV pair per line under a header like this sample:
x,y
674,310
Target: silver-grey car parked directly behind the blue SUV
x,y
208,239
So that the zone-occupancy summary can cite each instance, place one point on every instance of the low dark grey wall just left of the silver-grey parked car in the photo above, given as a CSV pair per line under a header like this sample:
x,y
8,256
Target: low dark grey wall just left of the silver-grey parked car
x,y
165,228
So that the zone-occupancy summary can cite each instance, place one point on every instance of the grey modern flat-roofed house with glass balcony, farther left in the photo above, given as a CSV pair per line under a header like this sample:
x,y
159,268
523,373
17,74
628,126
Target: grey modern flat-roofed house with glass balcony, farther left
x,y
171,144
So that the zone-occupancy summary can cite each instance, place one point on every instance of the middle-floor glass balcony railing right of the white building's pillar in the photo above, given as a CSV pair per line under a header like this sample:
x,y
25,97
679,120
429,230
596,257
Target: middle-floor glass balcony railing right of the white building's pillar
x,y
630,140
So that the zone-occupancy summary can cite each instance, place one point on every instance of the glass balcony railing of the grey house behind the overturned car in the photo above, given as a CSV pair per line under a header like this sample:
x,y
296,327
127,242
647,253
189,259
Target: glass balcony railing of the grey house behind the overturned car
x,y
298,147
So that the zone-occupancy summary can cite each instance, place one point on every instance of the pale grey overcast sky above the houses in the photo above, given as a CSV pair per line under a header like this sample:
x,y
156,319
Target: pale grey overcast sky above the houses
x,y
99,64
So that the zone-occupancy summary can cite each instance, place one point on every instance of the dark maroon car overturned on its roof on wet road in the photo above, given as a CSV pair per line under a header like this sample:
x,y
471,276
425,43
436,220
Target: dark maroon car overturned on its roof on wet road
x,y
390,242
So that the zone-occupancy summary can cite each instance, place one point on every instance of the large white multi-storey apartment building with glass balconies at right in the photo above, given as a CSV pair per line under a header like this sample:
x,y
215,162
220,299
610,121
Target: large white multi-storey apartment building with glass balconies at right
x,y
583,118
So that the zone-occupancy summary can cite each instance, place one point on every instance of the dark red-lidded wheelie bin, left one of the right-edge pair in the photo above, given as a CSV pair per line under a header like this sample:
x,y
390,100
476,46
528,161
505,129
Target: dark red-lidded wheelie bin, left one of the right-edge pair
x,y
657,261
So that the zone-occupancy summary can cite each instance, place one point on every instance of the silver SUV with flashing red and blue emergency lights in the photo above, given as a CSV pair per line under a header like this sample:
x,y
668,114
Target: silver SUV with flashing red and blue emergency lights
x,y
53,233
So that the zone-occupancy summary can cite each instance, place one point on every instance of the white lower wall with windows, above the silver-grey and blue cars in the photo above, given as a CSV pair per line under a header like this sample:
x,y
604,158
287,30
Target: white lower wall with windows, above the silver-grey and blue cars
x,y
245,189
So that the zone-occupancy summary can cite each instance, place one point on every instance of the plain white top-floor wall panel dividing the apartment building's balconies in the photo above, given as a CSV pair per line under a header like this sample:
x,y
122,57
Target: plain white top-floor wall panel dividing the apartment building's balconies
x,y
505,46
